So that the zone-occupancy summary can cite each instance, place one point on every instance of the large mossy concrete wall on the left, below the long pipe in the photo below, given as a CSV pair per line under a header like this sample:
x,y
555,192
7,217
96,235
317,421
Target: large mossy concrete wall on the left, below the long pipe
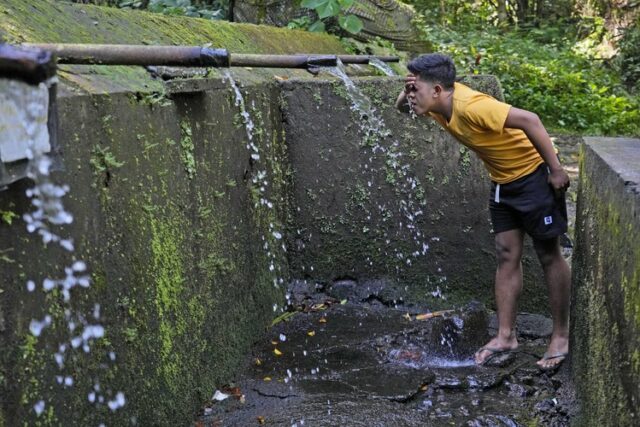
x,y
168,218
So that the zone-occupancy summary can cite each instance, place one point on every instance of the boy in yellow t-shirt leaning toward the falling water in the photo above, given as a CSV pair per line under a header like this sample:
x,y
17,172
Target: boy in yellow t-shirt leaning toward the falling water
x,y
527,191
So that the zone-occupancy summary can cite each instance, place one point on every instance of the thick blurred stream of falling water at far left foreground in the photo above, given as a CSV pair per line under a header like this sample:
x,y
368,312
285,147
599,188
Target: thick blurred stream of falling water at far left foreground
x,y
29,105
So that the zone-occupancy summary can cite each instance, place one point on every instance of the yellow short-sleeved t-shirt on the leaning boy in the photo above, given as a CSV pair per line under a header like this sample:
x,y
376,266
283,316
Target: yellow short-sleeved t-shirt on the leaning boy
x,y
477,121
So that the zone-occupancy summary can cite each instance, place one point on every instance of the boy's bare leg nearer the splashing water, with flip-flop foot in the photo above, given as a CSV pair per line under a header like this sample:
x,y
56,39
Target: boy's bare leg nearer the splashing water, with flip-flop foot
x,y
507,288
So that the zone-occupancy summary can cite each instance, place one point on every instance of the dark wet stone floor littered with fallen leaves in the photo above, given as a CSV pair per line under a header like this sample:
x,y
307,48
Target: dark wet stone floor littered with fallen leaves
x,y
368,364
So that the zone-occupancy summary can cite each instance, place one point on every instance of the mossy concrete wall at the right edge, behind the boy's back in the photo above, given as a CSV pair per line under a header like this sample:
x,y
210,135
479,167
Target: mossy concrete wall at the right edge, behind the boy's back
x,y
605,318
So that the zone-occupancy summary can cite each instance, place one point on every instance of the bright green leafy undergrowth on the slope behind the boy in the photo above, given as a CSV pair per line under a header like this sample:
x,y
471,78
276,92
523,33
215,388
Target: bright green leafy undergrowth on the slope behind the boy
x,y
568,90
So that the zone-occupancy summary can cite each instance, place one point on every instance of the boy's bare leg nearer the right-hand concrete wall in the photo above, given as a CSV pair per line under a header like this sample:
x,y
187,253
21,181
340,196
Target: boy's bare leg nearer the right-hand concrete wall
x,y
557,275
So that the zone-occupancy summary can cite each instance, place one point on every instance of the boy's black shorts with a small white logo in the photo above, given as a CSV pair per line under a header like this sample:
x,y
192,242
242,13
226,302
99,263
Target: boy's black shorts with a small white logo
x,y
529,203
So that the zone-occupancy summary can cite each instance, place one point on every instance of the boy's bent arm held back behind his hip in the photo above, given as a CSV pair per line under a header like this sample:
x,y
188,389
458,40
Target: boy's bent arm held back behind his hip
x,y
534,129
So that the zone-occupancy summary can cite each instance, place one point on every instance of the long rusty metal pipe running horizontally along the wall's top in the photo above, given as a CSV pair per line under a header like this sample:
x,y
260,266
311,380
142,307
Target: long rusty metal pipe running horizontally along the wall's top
x,y
193,56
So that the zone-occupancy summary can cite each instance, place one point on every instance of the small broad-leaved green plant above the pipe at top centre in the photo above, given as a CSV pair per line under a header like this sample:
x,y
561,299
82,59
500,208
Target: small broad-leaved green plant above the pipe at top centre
x,y
327,10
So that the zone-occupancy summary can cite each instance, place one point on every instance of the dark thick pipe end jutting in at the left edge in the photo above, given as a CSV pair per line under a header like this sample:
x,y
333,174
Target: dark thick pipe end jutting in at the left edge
x,y
29,65
